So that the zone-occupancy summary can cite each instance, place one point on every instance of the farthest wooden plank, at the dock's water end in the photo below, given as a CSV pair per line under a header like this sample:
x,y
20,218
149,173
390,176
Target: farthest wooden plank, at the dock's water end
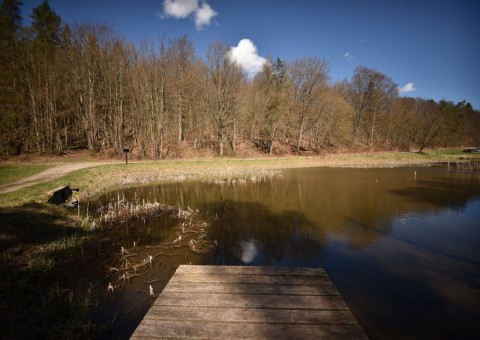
x,y
275,271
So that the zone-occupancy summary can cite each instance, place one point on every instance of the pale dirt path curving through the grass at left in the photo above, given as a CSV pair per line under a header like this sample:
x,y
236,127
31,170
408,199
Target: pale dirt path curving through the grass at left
x,y
47,175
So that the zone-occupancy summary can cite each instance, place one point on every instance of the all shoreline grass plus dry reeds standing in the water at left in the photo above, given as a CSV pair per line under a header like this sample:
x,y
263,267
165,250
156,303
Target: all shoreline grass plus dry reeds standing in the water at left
x,y
44,247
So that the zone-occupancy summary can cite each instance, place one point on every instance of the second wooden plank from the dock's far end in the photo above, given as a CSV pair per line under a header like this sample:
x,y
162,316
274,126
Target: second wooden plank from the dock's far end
x,y
245,278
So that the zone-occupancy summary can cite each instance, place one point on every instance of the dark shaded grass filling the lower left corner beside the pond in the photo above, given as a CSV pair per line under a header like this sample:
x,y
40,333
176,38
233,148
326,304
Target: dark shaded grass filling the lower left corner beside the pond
x,y
38,243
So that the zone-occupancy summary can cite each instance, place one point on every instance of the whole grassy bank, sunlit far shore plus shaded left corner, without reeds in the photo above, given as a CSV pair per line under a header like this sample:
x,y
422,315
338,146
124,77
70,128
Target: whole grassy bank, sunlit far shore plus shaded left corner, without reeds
x,y
42,246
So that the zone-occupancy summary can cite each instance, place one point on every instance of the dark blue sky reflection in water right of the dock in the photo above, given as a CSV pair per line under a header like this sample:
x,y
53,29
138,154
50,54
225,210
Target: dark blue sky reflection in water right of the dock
x,y
422,281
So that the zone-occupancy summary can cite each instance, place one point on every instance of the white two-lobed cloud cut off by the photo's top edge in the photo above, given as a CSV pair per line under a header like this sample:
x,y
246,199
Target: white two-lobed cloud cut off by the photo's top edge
x,y
181,9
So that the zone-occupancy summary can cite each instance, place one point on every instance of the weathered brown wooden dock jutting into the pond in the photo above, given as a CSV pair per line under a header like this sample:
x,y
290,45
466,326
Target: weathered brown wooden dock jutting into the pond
x,y
249,302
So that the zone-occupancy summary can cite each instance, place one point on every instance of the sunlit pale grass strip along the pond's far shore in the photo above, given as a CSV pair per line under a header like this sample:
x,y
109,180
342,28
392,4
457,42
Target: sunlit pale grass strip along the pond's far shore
x,y
94,181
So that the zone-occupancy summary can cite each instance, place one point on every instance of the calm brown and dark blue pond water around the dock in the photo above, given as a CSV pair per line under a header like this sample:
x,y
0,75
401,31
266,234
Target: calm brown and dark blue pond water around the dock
x,y
401,245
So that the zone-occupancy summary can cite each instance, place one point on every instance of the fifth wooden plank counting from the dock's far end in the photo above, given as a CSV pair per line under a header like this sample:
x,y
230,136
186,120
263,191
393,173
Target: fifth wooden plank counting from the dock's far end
x,y
257,315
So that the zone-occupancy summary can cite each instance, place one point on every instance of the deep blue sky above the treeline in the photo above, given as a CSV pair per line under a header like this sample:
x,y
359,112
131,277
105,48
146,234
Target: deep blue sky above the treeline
x,y
429,48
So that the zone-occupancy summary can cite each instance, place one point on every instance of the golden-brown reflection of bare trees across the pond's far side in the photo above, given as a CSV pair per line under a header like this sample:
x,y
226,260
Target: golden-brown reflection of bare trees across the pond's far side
x,y
359,204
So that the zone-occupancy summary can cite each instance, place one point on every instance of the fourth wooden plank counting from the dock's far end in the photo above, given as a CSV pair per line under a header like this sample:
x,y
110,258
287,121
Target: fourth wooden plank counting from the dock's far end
x,y
250,301
